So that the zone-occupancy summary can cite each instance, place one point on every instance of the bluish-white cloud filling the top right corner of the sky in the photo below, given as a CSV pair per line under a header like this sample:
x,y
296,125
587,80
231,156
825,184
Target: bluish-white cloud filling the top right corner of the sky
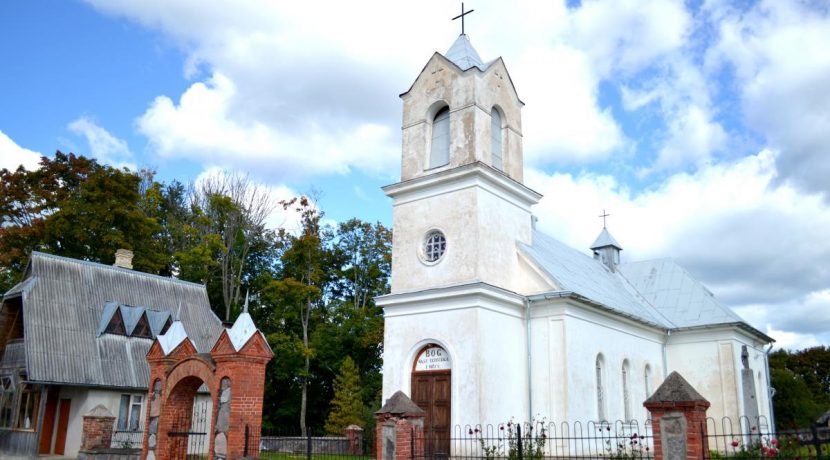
x,y
778,51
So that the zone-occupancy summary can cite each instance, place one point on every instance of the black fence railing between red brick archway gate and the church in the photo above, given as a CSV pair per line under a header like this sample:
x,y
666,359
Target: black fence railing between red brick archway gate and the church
x,y
278,444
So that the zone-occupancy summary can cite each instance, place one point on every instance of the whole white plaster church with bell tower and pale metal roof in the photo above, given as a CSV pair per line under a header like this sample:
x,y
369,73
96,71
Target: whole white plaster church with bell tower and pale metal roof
x,y
490,319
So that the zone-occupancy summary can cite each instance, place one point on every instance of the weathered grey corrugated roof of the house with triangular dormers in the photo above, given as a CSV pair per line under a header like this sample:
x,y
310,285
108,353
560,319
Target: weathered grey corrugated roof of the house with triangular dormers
x,y
63,312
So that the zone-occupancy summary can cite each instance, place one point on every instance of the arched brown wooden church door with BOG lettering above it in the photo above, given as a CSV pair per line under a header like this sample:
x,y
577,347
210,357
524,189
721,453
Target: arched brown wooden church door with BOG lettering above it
x,y
431,390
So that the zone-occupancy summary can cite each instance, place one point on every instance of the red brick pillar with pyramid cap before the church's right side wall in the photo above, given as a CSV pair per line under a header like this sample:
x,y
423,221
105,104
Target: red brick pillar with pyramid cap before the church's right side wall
x,y
678,415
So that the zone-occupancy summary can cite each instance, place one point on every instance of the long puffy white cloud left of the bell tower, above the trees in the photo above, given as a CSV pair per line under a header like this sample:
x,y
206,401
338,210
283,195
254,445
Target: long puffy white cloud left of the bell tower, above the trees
x,y
202,127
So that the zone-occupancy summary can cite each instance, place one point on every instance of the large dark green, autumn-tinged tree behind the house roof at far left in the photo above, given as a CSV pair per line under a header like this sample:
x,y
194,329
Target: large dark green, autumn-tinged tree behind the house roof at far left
x,y
75,207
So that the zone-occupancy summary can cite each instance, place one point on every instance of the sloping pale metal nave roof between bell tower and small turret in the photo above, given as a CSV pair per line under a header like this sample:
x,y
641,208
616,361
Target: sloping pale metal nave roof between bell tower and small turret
x,y
577,272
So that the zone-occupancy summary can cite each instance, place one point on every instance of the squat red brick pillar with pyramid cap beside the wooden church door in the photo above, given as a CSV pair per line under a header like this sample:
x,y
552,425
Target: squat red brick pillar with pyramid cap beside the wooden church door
x,y
399,431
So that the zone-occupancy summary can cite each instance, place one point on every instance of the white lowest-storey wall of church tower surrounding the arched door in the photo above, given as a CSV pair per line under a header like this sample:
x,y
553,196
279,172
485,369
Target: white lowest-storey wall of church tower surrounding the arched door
x,y
486,350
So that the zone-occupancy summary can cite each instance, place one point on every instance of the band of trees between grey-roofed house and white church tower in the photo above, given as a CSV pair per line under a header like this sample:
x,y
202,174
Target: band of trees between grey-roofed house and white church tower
x,y
312,290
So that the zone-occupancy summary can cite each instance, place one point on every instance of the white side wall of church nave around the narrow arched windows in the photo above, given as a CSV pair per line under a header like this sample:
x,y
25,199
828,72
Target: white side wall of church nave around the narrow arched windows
x,y
566,342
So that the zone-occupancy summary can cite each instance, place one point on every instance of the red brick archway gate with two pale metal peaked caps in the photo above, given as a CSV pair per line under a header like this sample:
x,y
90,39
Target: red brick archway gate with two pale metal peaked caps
x,y
232,373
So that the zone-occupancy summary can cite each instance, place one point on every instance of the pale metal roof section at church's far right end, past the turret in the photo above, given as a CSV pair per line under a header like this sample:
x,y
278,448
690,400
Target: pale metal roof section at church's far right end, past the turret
x,y
676,294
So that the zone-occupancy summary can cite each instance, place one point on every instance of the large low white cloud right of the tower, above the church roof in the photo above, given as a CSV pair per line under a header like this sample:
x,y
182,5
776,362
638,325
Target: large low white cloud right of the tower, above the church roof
x,y
754,243
